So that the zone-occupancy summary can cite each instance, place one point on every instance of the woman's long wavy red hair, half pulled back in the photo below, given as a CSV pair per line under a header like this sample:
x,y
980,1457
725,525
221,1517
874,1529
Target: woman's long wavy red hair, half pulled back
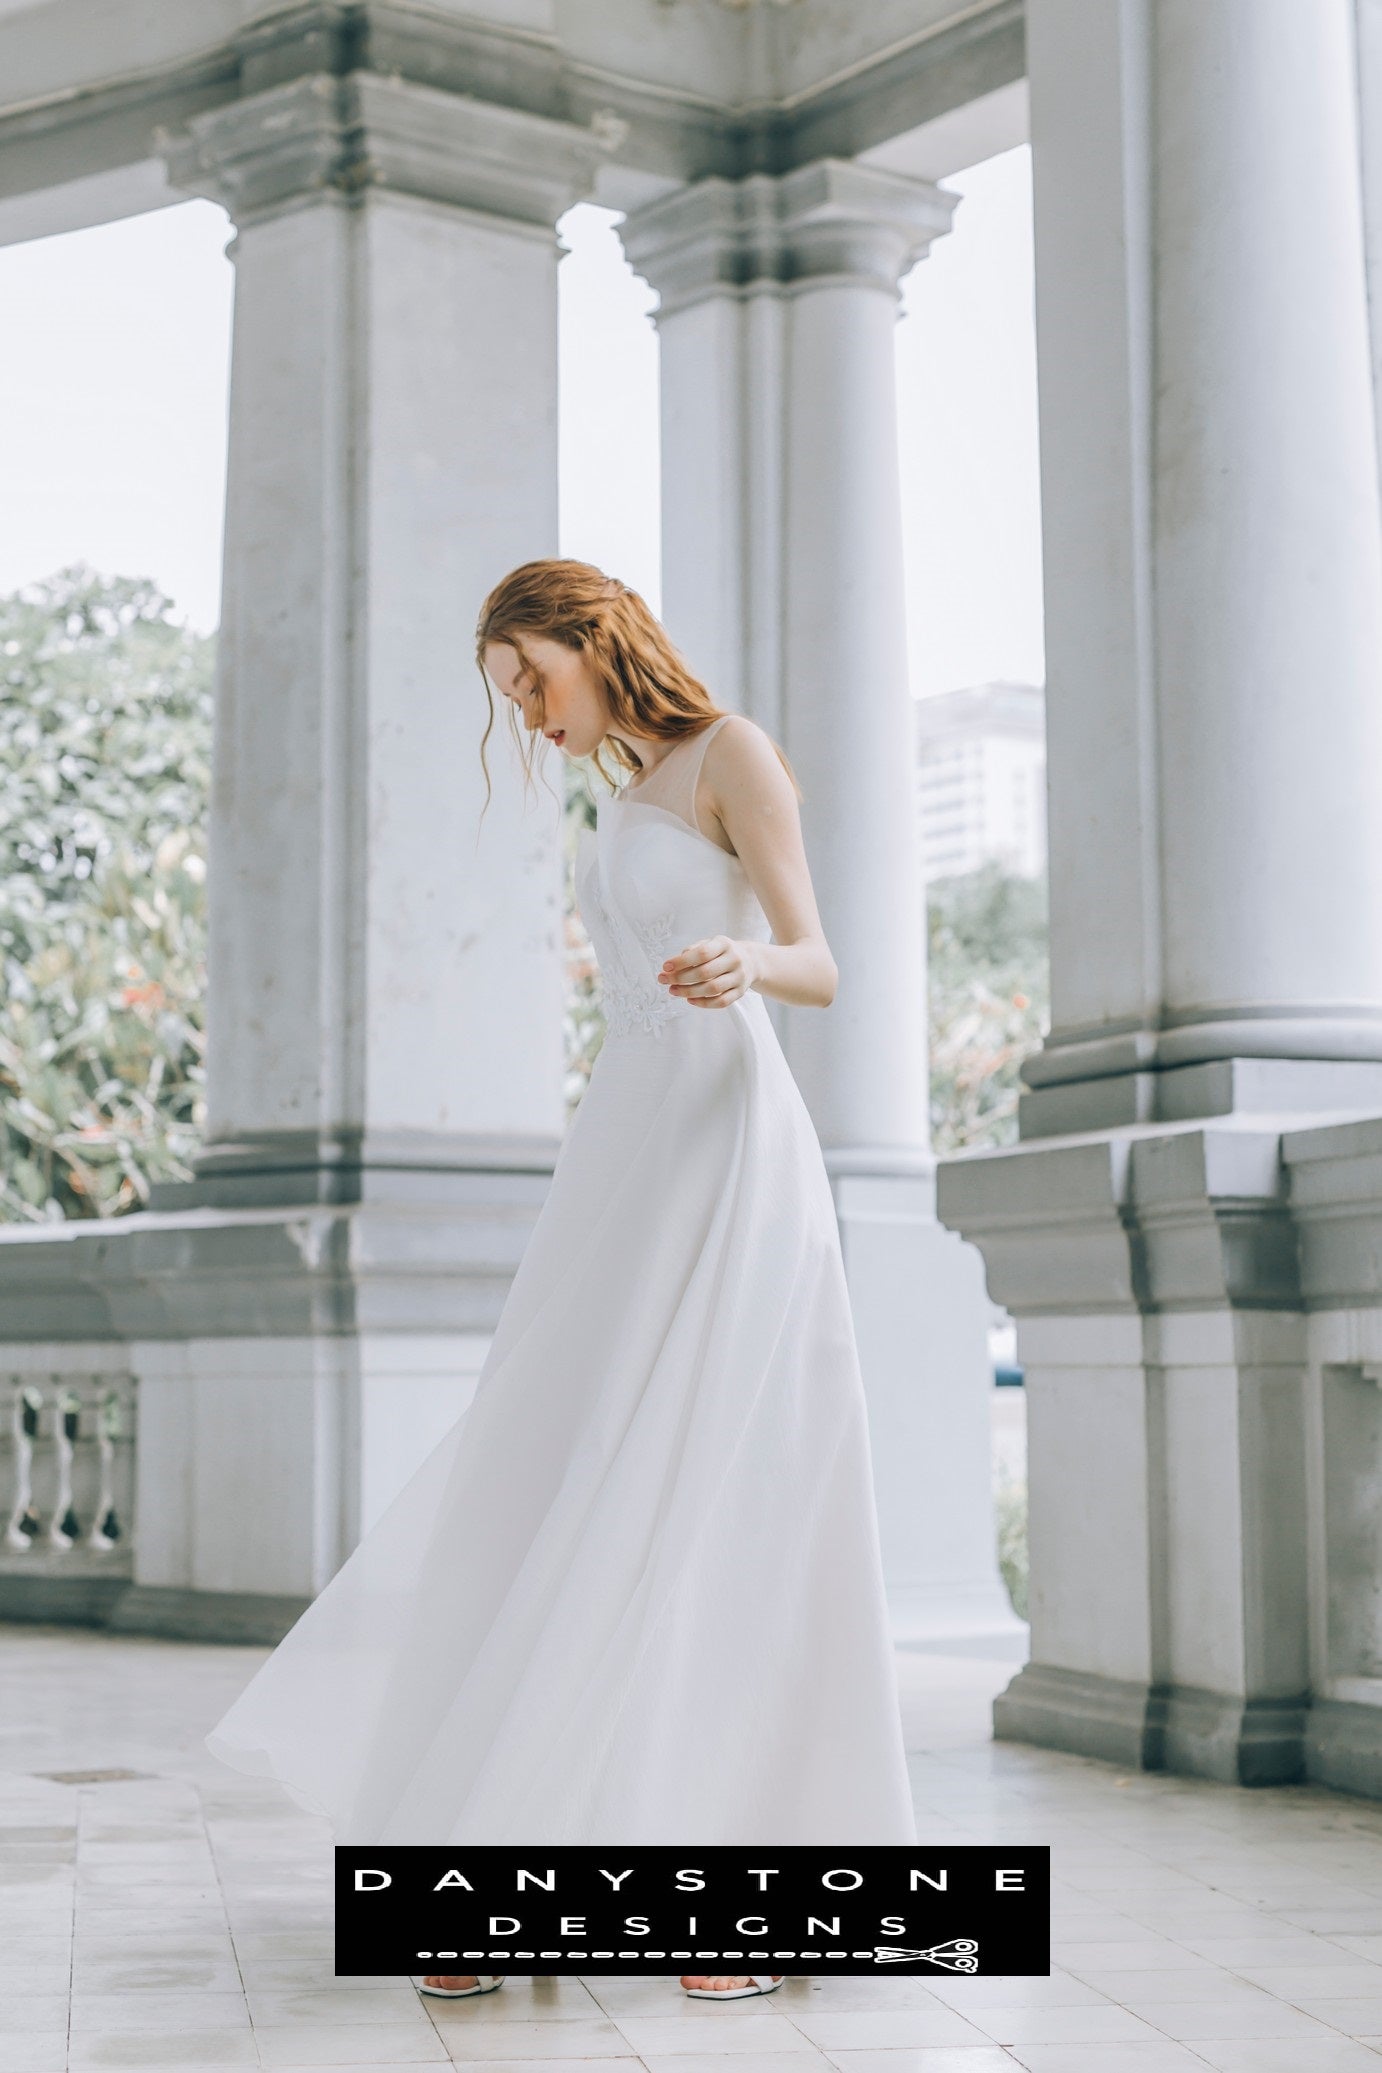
x,y
643,677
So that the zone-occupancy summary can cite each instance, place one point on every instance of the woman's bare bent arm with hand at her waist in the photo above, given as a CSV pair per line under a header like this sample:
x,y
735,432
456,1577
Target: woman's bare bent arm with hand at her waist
x,y
753,801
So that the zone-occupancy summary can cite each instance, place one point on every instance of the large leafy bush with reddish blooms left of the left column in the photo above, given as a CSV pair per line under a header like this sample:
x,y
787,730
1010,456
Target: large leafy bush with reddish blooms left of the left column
x,y
105,774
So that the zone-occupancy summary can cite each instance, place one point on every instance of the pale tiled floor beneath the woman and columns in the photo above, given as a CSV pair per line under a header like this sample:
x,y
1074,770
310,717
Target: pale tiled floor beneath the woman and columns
x,y
181,1919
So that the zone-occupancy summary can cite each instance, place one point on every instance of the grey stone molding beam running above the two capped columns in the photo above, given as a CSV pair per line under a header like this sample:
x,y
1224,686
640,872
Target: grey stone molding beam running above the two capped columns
x,y
670,134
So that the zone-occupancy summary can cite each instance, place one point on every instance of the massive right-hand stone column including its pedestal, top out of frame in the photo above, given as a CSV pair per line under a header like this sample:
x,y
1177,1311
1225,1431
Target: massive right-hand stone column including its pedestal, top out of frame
x,y
1215,739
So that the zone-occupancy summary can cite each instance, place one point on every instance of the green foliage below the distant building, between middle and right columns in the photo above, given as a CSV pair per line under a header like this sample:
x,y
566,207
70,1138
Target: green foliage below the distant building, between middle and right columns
x,y
989,990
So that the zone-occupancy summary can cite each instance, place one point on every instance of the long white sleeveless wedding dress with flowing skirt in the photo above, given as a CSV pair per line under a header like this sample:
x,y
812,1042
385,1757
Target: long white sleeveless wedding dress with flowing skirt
x,y
635,1595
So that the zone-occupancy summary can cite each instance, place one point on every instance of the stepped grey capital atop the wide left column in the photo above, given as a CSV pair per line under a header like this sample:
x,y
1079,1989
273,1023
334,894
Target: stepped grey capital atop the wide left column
x,y
349,136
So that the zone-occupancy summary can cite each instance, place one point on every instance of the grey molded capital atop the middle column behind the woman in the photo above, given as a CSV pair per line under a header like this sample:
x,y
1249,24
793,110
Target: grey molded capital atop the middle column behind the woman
x,y
824,223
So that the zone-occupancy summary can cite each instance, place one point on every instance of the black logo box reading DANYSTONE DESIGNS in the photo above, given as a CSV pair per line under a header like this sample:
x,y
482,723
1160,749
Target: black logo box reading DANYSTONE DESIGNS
x,y
884,1910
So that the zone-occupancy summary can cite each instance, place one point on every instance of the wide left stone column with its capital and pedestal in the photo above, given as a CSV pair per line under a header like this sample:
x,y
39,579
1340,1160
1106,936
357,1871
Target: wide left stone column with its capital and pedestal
x,y
384,1015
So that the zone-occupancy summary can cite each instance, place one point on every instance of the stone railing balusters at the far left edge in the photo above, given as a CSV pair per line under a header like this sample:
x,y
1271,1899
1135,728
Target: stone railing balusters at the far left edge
x,y
67,1473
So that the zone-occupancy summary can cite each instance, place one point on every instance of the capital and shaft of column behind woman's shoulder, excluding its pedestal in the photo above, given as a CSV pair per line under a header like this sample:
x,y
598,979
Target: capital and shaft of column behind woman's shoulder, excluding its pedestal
x,y
784,571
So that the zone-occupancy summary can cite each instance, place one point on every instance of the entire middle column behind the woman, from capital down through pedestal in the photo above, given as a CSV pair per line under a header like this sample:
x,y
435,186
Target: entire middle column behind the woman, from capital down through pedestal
x,y
782,579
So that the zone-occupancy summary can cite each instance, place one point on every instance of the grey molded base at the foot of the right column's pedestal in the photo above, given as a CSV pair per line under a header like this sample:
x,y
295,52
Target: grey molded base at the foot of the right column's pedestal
x,y
1159,1728
